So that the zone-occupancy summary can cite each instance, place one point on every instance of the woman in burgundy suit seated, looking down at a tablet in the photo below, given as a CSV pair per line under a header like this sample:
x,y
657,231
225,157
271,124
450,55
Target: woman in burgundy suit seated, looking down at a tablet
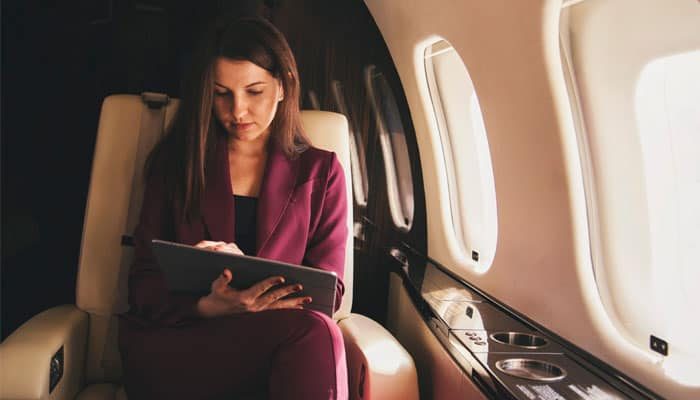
x,y
236,171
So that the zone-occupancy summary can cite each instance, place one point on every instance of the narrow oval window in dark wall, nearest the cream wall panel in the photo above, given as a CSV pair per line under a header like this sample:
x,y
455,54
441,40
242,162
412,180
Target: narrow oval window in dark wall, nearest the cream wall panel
x,y
392,139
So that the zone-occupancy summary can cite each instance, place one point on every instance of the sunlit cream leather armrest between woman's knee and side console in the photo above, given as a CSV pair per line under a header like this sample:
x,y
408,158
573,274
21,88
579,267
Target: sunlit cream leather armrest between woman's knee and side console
x,y
378,365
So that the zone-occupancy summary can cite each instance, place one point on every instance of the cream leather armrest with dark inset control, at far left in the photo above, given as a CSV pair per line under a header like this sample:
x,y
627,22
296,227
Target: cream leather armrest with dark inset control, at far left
x,y
25,355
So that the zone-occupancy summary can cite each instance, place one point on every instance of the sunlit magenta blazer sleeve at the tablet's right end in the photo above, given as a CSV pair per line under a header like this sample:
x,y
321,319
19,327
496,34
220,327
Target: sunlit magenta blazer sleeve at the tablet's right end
x,y
327,243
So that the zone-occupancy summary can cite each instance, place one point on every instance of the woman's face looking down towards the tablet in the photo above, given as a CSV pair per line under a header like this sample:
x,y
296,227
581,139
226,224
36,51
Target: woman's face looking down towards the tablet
x,y
245,98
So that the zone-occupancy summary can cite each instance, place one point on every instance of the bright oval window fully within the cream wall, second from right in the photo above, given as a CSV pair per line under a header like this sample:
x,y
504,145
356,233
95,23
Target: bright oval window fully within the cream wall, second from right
x,y
466,153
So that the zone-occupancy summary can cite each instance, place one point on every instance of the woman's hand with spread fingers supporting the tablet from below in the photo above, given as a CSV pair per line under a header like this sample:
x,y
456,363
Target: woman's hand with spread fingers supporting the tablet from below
x,y
225,300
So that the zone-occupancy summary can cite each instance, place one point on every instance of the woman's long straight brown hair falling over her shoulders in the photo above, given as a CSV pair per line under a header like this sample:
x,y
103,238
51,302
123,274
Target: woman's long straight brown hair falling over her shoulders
x,y
182,157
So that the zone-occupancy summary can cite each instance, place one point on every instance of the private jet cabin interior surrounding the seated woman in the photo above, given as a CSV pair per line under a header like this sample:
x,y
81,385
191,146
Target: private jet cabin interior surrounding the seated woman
x,y
523,181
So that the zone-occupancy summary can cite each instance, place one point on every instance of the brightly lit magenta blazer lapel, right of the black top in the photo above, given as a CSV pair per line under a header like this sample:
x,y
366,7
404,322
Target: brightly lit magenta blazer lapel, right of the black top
x,y
276,192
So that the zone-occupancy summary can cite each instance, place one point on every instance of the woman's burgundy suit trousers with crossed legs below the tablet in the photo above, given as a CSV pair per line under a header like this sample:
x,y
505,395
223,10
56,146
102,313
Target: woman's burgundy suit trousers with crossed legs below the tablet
x,y
275,354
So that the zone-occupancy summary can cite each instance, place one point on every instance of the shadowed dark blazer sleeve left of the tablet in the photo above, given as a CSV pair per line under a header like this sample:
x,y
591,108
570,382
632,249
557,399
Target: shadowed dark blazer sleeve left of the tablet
x,y
149,299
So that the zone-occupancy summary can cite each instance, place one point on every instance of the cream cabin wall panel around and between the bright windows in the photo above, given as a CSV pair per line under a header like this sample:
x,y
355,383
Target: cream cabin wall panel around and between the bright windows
x,y
542,266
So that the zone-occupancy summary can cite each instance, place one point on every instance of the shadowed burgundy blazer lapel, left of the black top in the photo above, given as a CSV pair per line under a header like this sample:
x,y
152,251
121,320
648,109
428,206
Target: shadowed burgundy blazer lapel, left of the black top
x,y
217,201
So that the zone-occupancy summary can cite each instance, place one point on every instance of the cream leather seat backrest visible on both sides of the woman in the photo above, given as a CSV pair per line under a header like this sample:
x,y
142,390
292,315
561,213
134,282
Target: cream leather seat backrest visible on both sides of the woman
x,y
129,127
